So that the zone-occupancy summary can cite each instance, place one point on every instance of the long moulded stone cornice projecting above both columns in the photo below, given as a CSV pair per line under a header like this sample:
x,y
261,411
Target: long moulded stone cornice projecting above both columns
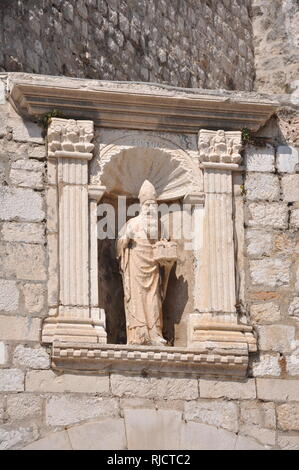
x,y
140,106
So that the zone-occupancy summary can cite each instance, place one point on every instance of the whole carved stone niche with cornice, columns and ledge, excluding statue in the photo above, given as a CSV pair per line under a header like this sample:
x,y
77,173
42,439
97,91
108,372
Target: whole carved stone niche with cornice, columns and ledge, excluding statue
x,y
189,147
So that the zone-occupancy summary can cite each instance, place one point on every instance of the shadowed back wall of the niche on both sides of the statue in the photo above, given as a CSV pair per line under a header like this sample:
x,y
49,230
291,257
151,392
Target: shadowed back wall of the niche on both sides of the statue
x,y
177,304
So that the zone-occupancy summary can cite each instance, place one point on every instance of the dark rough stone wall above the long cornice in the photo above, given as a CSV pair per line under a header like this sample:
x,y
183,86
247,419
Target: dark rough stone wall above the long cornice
x,y
184,43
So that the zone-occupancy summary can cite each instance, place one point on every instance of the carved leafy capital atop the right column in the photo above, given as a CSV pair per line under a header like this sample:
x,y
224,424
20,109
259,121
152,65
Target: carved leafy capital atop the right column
x,y
220,149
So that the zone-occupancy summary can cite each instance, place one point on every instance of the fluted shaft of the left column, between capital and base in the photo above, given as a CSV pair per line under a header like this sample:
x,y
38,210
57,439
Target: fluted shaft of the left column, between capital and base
x,y
73,237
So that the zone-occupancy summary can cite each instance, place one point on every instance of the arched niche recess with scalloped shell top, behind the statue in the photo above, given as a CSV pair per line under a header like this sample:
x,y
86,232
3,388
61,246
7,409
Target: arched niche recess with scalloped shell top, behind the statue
x,y
121,167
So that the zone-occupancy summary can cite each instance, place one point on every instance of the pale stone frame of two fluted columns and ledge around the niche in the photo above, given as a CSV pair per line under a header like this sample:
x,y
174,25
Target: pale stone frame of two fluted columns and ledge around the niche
x,y
76,324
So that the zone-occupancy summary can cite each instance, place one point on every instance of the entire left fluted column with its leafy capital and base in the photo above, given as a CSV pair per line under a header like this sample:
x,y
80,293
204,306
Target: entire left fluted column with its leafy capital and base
x,y
69,143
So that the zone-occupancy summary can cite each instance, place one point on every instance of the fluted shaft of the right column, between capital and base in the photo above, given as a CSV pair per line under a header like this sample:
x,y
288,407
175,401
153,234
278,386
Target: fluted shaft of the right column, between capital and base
x,y
218,293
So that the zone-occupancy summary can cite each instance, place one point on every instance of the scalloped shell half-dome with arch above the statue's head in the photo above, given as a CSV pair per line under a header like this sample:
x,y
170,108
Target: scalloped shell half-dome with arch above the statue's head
x,y
122,163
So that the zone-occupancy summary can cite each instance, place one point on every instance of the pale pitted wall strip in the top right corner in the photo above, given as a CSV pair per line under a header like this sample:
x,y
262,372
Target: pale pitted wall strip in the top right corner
x,y
276,45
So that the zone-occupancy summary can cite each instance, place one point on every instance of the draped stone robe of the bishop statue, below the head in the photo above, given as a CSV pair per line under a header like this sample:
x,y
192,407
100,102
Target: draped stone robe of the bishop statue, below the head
x,y
142,281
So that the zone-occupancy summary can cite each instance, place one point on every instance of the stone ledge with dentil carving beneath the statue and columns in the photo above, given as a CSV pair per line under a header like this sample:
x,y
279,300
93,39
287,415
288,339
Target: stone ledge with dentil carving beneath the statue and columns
x,y
115,357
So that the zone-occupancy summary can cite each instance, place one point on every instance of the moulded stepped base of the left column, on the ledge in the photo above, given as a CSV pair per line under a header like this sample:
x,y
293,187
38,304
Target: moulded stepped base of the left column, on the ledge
x,y
78,330
